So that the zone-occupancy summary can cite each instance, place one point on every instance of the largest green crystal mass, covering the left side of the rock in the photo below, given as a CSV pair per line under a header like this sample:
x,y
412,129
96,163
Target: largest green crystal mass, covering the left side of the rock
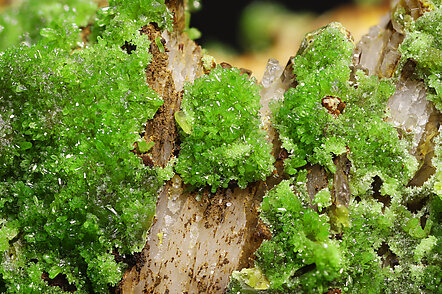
x,y
72,192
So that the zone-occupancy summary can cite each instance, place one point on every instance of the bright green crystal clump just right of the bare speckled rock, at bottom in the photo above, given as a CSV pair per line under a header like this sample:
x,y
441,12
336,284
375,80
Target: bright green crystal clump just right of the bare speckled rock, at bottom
x,y
300,256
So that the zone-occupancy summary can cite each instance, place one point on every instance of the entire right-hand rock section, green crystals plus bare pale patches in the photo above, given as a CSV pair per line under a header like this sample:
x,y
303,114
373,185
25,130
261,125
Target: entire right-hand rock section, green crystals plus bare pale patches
x,y
374,226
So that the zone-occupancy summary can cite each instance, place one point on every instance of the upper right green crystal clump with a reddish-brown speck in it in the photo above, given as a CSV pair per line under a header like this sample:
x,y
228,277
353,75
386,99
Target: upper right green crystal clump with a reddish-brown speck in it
x,y
328,112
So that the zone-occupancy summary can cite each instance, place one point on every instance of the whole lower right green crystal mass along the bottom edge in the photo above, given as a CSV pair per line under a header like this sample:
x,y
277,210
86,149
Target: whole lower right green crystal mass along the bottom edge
x,y
383,250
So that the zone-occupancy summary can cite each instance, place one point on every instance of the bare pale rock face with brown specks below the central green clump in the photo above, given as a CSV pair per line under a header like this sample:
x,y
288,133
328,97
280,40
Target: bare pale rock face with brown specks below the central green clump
x,y
195,244
